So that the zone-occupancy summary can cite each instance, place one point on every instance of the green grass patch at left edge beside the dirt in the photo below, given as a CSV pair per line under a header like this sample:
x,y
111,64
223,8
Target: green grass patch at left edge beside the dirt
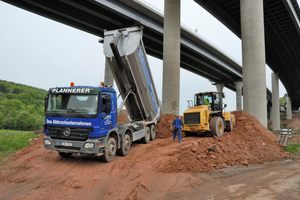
x,y
11,141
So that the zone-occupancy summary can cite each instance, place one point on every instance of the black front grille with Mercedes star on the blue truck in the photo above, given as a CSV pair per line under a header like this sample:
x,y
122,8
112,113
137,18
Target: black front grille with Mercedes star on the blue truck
x,y
80,134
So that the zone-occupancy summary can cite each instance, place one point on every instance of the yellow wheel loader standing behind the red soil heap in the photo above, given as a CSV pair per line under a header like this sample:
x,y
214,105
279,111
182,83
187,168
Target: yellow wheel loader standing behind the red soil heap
x,y
206,117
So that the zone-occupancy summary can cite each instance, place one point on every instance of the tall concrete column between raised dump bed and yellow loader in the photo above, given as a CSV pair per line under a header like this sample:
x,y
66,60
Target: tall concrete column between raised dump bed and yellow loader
x,y
171,58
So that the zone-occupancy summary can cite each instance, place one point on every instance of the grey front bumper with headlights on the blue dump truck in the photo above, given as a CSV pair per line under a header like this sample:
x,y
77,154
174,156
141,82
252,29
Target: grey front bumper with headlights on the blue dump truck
x,y
77,147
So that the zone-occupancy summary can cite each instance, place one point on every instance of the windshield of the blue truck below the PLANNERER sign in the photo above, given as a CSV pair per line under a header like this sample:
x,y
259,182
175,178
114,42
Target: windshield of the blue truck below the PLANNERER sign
x,y
75,105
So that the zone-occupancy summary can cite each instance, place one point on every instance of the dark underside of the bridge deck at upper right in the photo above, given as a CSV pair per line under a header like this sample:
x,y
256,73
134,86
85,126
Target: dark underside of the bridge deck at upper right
x,y
282,38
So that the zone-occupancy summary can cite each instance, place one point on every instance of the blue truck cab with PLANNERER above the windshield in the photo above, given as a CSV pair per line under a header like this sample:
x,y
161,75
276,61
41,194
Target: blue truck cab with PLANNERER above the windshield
x,y
79,118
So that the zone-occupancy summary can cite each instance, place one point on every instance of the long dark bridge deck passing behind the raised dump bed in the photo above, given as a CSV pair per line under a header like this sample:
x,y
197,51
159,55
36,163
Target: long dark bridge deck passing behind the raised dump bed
x,y
93,16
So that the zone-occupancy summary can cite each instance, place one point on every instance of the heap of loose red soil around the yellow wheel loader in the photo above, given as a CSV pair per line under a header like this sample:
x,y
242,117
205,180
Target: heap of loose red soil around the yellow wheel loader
x,y
248,143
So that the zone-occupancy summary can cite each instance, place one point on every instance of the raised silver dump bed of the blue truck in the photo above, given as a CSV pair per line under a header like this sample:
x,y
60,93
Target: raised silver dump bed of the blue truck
x,y
125,53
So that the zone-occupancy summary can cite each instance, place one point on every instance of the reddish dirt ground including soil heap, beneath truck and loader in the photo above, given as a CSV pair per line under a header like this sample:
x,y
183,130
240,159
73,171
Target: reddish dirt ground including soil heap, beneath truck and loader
x,y
162,169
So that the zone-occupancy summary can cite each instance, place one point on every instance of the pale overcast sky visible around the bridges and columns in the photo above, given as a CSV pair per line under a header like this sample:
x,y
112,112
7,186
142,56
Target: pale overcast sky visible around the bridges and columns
x,y
43,53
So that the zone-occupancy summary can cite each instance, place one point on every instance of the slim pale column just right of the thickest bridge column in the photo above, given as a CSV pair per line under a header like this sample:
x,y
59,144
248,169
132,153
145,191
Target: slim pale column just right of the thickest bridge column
x,y
275,114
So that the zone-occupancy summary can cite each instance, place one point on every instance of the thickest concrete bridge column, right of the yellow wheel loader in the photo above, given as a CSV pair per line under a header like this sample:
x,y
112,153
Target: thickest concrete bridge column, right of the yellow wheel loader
x,y
253,53
